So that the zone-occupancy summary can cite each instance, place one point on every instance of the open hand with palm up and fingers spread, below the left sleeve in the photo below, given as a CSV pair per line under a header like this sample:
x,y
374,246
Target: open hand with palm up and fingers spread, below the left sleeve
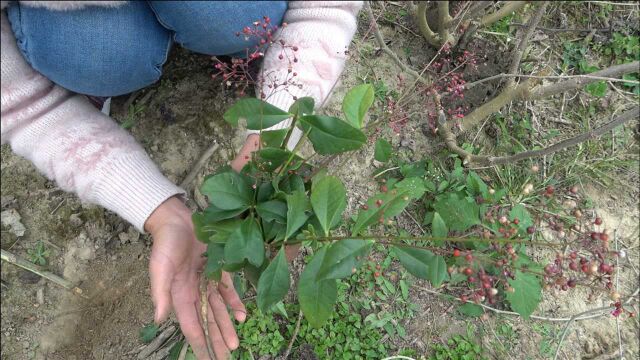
x,y
175,268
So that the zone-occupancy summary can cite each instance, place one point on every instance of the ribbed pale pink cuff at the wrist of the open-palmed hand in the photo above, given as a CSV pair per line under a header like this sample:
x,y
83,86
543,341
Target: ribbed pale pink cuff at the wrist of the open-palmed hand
x,y
133,187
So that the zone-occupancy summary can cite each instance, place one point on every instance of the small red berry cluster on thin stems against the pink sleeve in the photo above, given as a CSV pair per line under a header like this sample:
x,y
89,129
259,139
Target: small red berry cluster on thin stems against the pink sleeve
x,y
237,73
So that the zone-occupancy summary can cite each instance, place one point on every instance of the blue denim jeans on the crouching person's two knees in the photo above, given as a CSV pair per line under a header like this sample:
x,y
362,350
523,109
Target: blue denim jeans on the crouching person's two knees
x,y
103,51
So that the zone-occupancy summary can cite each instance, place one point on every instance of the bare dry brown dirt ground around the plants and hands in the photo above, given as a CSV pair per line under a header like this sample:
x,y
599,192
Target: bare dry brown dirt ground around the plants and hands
x,y
181,118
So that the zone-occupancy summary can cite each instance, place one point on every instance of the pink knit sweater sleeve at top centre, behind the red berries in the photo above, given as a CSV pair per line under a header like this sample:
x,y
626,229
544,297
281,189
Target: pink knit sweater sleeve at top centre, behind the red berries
x,y
322,31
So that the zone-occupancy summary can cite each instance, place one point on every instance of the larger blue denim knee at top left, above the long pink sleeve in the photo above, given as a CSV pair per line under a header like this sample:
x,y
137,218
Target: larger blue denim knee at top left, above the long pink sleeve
x,y
95,51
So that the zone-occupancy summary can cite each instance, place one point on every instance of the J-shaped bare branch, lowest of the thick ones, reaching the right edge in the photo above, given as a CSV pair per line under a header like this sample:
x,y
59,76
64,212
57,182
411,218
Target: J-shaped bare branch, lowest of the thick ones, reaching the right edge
x,y
450,141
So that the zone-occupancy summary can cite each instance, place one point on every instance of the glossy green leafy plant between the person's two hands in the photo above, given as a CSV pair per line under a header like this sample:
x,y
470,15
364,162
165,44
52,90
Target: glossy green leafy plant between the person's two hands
x,y
280,199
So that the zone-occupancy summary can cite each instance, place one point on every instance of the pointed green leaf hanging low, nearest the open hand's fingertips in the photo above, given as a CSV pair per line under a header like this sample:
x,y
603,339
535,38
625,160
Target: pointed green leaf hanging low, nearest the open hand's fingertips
x,y
274,282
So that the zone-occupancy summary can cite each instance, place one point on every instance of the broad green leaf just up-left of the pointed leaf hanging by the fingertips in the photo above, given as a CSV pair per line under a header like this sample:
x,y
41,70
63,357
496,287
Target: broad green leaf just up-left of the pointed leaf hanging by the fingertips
x,y
245,243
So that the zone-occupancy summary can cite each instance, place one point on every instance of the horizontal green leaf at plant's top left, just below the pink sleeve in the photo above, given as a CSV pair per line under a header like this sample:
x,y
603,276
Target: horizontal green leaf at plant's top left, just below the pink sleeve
x,y
259,114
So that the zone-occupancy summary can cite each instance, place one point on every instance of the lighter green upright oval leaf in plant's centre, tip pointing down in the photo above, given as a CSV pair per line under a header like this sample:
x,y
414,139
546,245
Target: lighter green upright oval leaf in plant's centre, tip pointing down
x,y
328,199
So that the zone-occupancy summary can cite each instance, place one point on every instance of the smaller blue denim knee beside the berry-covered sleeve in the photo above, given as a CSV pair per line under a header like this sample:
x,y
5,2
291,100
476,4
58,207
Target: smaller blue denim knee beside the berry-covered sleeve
x,y
210,27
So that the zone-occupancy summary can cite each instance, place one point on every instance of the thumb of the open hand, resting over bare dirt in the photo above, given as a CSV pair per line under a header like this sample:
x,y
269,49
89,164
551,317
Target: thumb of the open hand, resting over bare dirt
x,y
161,272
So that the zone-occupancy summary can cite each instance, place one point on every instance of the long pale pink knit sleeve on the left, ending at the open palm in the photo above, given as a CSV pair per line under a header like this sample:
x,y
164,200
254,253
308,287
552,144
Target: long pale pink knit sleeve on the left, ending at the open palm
x,y
71,142
